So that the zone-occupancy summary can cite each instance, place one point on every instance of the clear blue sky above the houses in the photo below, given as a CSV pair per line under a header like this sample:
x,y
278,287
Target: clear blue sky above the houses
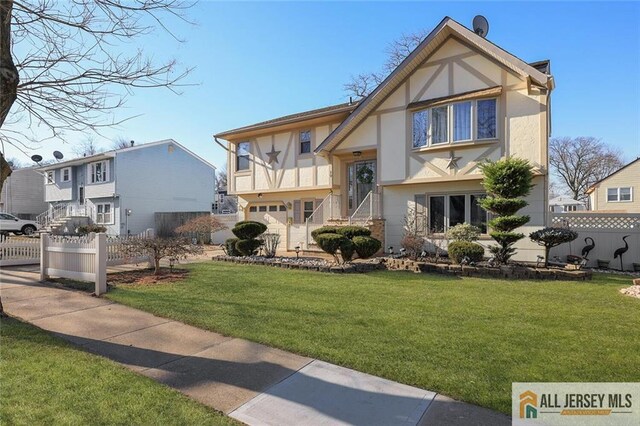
x,y
256,61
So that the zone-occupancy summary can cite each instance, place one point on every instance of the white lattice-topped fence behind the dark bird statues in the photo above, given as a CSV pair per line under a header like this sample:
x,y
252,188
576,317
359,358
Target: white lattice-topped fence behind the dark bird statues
x,y
606,230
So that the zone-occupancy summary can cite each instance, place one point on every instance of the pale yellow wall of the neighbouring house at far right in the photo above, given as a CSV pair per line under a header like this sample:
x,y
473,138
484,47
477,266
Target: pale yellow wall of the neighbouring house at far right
x,y
627,177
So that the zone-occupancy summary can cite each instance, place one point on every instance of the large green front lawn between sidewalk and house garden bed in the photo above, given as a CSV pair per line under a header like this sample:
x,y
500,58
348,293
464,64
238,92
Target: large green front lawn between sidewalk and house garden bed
x,y
467,338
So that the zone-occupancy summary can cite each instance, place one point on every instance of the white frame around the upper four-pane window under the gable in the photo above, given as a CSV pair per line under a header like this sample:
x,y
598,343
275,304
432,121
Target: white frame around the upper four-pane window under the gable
x,y
450,142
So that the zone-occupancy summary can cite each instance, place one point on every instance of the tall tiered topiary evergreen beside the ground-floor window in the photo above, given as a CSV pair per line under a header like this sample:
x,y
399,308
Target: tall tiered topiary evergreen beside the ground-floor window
x,y
506,182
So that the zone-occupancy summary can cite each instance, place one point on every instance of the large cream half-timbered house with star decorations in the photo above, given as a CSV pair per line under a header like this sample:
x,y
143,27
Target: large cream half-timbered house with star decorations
x,y
411,149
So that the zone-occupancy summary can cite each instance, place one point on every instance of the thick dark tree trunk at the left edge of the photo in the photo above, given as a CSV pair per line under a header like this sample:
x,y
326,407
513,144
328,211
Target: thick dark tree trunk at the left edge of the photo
x,y
9,77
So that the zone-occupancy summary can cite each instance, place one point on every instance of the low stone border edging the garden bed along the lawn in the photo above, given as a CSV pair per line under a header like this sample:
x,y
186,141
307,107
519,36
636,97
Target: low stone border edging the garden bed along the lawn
x,y
513,272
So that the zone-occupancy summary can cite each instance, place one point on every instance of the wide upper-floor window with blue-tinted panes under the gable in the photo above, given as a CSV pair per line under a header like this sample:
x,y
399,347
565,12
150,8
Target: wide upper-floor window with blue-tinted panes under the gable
x,y
455,122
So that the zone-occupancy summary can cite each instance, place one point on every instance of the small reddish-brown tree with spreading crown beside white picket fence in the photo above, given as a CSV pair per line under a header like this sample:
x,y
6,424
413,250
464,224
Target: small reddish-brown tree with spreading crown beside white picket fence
x,y
160,248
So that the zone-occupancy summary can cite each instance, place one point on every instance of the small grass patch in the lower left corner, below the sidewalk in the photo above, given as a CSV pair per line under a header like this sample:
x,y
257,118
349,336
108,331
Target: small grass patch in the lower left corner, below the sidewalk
x,y
44,380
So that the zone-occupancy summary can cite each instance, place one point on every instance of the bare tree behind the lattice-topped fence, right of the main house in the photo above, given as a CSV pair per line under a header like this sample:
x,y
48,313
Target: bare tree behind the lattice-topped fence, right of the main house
x,y
580,162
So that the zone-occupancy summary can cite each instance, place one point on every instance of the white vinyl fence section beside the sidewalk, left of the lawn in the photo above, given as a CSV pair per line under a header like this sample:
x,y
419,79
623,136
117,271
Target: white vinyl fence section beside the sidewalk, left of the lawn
x,y
84,258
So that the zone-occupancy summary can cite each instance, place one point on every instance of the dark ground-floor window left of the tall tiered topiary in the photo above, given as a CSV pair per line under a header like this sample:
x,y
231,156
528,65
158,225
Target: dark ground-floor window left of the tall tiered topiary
x,y
446,211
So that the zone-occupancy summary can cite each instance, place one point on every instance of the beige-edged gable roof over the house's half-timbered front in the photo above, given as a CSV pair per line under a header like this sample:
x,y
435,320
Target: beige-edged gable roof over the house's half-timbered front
x,y
444,29
